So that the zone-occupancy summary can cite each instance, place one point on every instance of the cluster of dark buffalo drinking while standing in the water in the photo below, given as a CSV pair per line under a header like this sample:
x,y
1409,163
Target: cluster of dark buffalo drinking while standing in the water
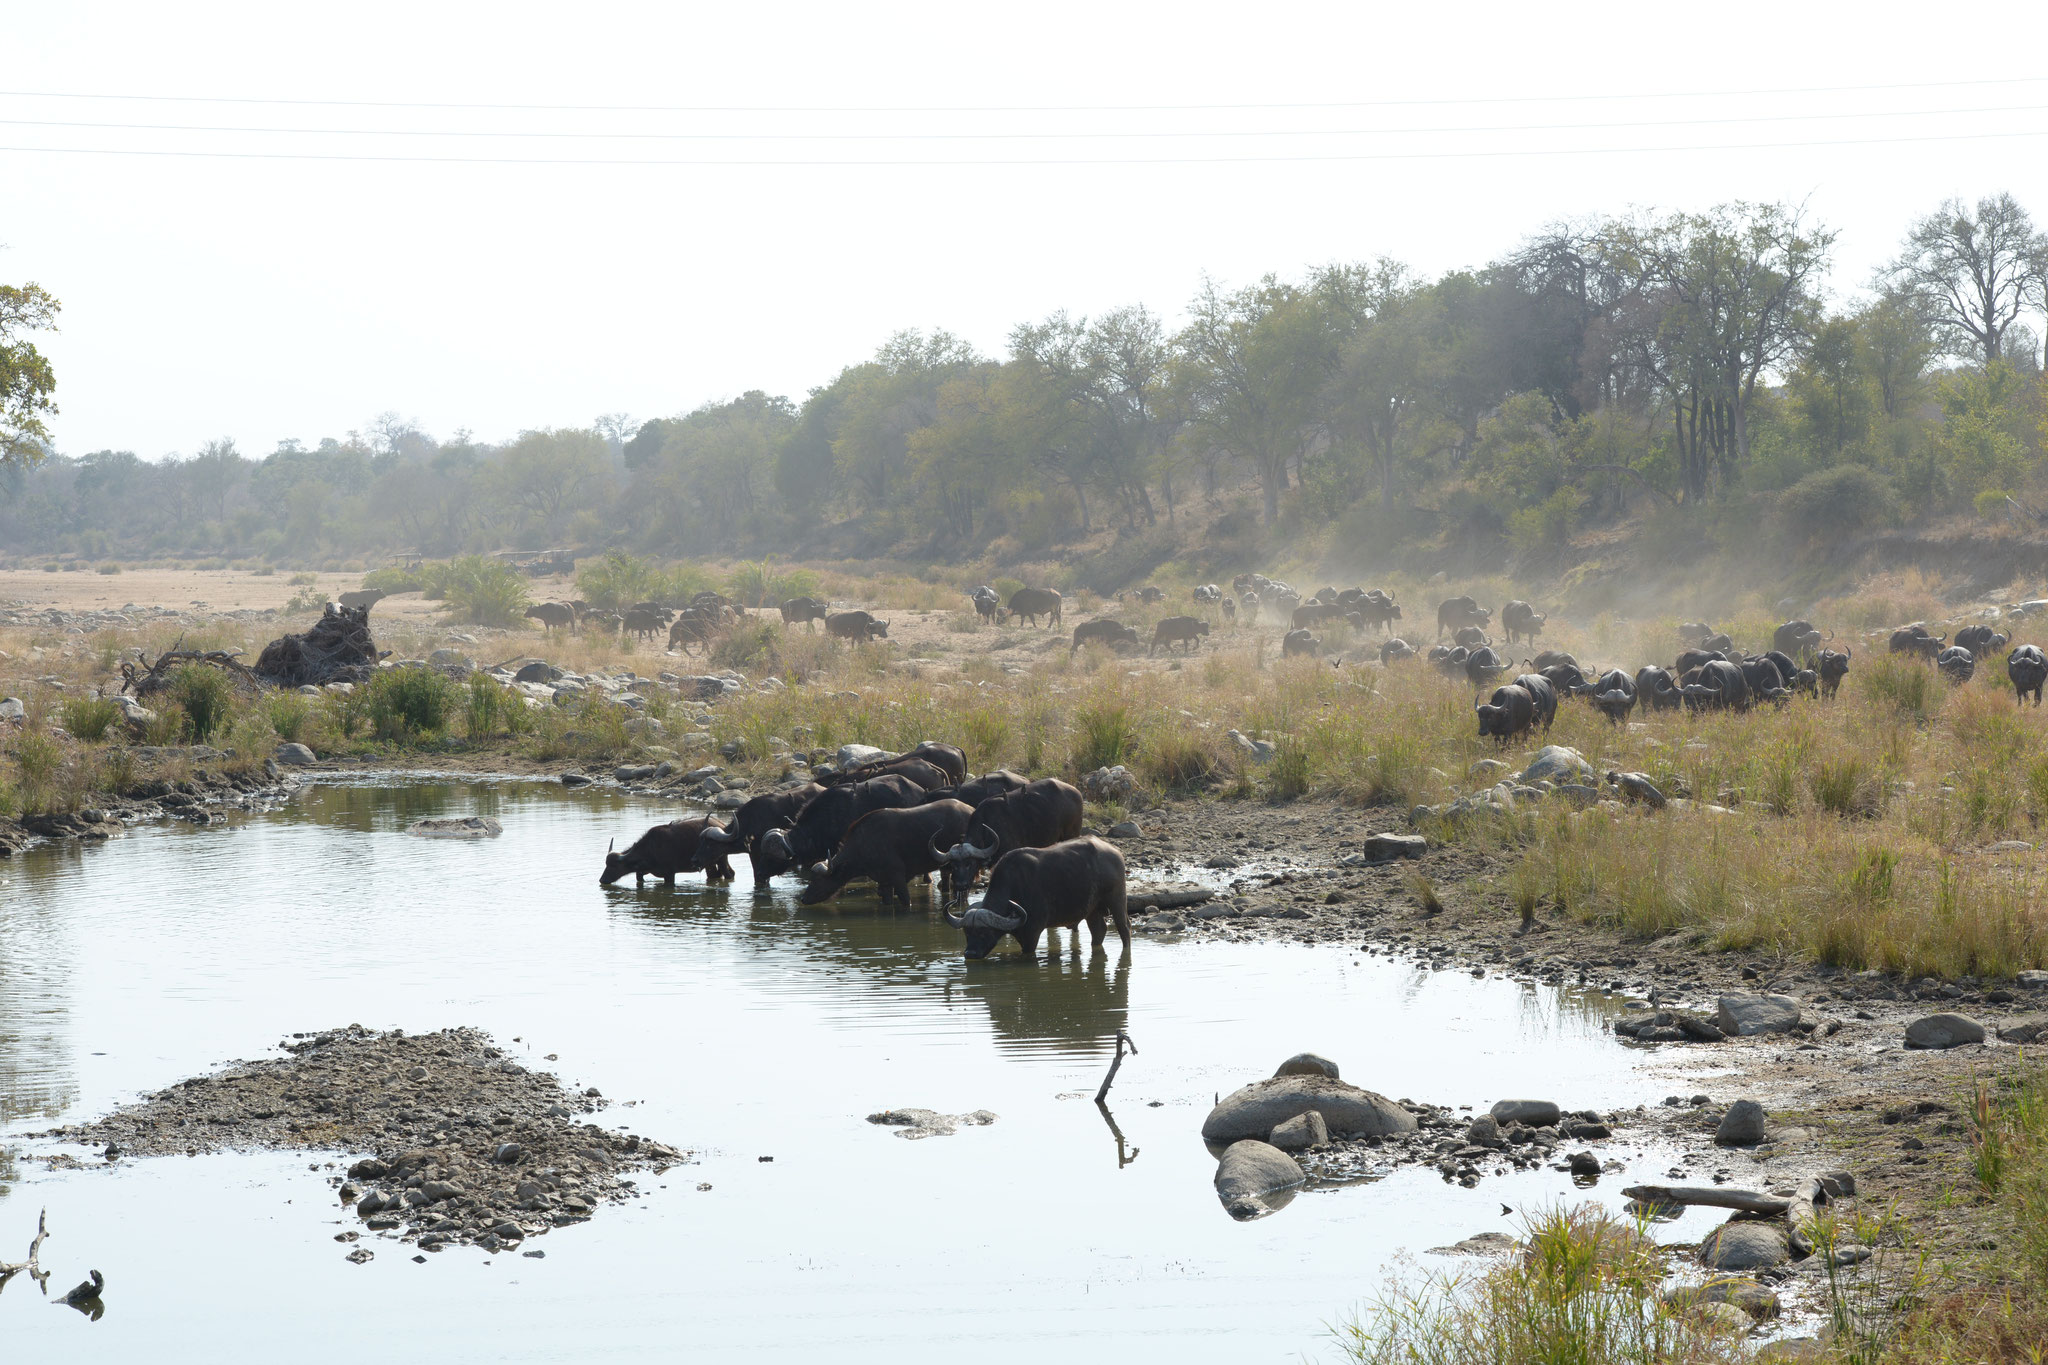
x,y
902,820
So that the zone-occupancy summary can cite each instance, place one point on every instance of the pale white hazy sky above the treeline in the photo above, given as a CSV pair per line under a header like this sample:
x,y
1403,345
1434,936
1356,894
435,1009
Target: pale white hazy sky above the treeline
x,y
814,179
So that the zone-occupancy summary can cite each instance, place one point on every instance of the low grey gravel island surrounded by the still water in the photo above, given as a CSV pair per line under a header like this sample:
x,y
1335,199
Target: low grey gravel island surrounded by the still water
x,y
460,1145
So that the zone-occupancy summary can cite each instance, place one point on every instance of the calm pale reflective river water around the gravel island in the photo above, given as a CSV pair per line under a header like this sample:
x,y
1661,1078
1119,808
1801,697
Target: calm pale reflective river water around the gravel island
x,y
740,1026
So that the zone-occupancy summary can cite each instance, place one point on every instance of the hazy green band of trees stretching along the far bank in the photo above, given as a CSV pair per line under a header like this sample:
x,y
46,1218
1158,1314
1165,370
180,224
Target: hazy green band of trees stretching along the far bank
x,y
1674,361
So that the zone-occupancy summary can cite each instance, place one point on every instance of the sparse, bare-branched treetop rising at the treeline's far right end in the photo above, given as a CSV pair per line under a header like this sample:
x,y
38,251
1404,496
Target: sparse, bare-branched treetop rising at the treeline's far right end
x,y
1973,273
